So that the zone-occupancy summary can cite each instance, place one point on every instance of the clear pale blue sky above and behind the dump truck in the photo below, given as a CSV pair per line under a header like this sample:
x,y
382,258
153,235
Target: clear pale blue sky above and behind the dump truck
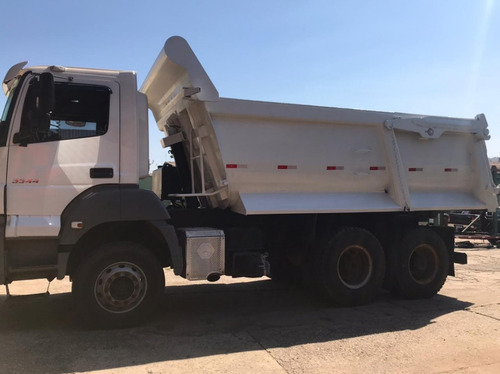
x,y
424,57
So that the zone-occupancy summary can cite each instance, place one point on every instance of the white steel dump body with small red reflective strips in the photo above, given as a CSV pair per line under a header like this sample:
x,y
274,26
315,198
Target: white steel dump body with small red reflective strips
x,y
272,158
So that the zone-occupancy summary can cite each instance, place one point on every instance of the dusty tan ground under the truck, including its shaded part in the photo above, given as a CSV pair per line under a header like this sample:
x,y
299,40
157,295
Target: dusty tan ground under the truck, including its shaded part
x,y
258,326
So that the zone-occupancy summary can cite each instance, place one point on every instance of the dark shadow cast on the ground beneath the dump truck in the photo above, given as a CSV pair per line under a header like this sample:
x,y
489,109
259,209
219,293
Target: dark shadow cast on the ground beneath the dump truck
x,y
43,334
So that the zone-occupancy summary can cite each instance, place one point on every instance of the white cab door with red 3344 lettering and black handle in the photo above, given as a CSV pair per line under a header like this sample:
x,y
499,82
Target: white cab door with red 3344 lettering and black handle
x,y
49,169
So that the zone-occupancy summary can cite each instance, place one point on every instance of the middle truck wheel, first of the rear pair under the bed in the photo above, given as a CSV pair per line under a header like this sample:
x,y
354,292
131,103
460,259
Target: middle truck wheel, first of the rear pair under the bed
x,y
352,267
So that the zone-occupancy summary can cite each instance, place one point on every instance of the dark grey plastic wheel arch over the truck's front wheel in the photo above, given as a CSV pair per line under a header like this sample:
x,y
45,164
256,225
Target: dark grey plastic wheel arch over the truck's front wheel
x,y
112,212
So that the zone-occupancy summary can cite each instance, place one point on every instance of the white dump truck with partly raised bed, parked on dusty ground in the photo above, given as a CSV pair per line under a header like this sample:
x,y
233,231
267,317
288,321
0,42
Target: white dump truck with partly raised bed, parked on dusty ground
x,y
345,201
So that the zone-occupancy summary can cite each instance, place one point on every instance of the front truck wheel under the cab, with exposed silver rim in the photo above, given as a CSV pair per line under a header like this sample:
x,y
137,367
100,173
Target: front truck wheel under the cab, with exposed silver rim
x,y
117,285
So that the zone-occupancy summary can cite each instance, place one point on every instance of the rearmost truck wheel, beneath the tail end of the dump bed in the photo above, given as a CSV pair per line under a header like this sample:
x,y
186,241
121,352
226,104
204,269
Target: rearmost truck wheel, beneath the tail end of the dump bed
x,y
423,265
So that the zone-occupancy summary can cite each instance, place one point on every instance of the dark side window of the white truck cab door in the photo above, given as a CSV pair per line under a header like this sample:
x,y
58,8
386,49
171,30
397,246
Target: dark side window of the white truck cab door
x,y
80,111
